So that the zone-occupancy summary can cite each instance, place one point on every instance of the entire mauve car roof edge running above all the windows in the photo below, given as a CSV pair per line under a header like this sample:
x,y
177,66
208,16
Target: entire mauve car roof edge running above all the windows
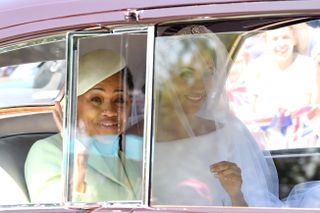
x,y
21,18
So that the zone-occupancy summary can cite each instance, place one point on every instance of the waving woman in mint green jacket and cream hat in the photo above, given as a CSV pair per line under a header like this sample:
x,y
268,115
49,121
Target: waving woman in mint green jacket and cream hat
x,y
103,108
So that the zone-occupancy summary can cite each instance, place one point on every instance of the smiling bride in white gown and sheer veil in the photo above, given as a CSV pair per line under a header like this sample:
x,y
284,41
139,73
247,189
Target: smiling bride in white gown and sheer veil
x,y
202,154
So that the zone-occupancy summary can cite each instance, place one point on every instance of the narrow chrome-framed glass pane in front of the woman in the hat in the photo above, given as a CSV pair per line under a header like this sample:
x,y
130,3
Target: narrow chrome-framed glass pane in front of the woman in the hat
x,y
108,144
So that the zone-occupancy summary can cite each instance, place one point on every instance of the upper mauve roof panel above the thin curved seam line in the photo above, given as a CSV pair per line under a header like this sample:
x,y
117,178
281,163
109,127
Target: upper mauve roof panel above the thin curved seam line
x,y
35,10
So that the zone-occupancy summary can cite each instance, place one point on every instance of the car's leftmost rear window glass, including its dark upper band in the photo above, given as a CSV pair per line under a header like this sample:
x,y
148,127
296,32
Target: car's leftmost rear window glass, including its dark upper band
x,y
32,74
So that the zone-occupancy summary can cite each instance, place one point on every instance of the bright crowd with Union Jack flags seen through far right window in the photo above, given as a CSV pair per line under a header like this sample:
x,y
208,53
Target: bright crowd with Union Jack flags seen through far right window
x,y
274,84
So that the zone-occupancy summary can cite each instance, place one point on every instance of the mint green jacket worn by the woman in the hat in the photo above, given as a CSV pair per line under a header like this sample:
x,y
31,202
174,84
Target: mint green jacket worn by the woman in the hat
x,y
107,178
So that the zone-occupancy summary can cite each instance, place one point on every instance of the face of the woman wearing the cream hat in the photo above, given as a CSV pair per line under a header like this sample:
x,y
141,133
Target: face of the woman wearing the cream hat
x,y
104,109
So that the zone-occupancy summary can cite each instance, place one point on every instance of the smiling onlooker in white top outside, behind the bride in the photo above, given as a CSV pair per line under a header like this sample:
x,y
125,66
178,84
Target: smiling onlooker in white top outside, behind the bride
x,y
284,85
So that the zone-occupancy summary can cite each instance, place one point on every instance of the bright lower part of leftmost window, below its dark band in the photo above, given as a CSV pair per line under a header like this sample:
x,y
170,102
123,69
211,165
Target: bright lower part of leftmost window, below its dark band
x,y
31,83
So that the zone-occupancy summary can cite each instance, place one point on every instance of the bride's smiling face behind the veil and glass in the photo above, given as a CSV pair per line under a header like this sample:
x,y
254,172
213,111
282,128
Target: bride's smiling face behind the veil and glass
x,y
192,80
